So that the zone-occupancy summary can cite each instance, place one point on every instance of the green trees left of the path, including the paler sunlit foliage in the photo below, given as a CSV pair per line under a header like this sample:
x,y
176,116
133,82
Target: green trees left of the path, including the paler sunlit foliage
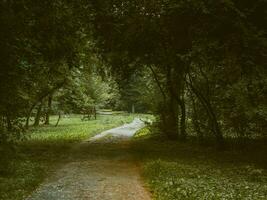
x,y
47,66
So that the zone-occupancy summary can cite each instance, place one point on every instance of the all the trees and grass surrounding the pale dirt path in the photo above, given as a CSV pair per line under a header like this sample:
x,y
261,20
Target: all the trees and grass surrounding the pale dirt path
x,y
195,71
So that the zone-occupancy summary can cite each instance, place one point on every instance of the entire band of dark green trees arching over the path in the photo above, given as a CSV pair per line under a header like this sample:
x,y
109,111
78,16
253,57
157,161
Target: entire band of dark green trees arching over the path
x,y
198,65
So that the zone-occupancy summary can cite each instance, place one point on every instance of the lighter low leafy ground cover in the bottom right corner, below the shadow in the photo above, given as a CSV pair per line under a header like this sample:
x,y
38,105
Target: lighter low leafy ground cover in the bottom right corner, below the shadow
x,y
182,180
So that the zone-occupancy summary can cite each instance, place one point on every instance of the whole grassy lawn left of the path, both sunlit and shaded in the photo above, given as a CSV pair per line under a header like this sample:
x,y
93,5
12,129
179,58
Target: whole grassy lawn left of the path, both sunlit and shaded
x,y
24,166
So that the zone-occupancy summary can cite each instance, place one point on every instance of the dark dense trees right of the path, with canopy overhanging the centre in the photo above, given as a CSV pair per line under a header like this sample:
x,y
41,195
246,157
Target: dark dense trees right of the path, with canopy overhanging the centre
x,y
208,59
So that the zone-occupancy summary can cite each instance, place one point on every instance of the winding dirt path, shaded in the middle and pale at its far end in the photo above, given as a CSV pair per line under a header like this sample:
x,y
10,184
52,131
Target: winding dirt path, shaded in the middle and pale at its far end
x,y
99,169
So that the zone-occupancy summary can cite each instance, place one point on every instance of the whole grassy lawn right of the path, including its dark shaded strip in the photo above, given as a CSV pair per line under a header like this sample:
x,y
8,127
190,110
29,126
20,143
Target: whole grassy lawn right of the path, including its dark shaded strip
x,y
176,171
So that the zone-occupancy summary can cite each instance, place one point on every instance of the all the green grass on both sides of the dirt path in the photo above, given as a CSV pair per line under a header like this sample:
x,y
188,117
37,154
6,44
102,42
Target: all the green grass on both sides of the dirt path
x,y
172,170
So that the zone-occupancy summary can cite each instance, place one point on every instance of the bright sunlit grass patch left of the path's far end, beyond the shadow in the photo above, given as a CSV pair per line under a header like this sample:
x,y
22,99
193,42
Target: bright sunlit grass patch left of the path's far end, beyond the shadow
x,y
73,129
